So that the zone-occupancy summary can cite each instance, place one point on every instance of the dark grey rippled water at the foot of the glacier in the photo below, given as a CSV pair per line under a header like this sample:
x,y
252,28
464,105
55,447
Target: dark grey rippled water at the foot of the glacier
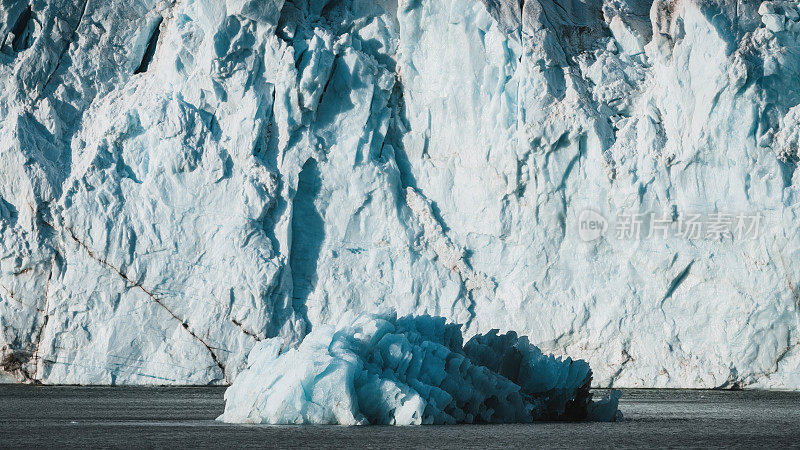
x,y
34,416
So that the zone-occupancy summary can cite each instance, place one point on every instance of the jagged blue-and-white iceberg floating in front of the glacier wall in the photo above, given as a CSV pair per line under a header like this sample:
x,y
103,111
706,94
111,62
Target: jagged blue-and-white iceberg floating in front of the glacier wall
x,y
376,369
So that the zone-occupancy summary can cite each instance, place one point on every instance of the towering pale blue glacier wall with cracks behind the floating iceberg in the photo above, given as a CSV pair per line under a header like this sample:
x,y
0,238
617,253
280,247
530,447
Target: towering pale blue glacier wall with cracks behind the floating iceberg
x,y
181,180
